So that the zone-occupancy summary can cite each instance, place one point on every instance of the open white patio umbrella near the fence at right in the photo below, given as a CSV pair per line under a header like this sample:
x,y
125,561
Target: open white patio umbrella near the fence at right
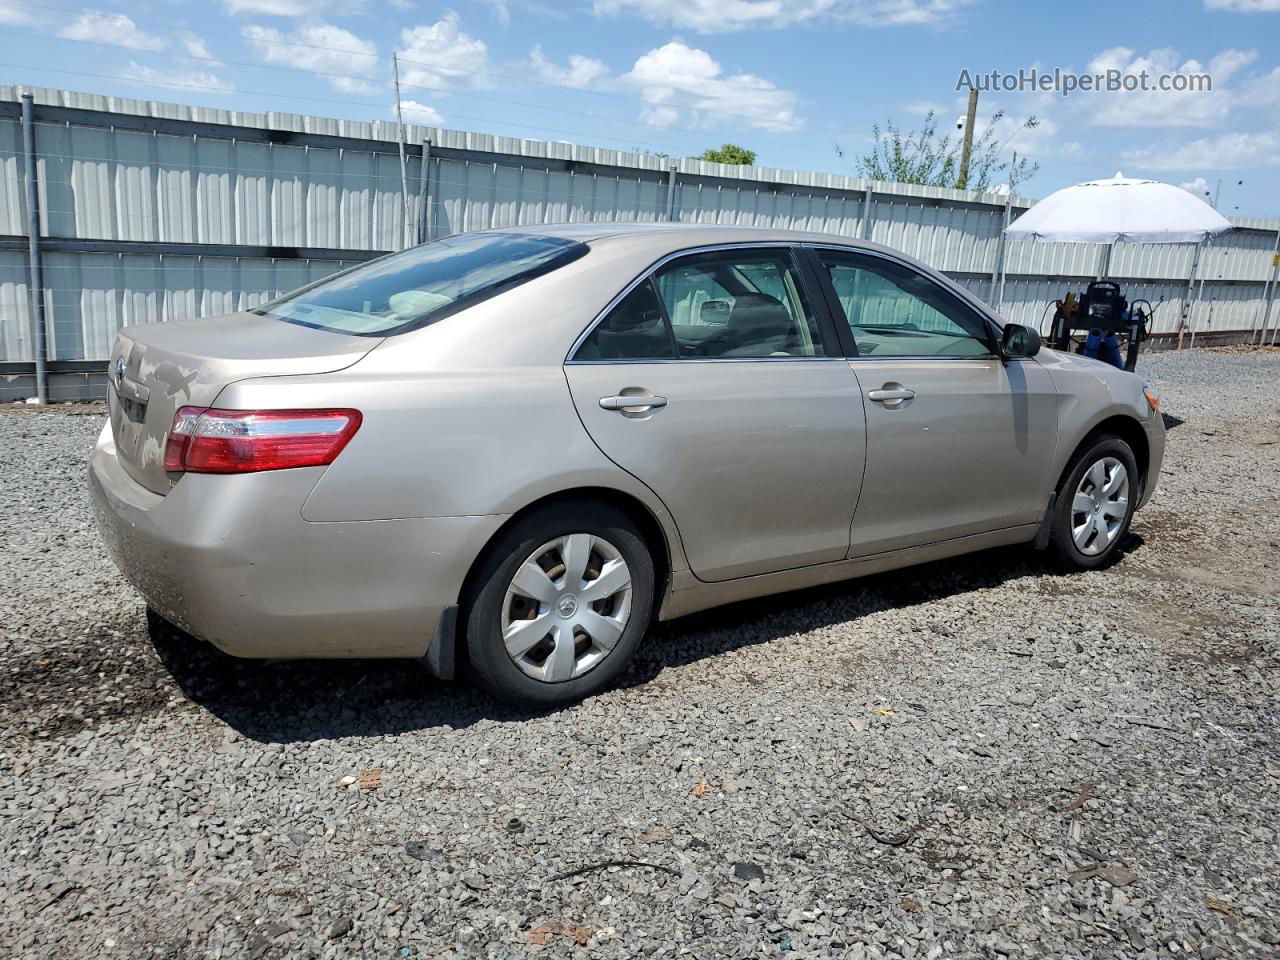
x,y
1122,211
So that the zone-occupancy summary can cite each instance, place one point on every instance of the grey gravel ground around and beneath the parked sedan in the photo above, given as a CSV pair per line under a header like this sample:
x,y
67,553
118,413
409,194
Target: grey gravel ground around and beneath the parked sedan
x,y
968,760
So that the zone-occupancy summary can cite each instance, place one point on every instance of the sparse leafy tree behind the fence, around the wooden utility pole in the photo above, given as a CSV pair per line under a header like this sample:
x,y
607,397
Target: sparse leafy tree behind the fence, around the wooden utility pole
x,y
932,159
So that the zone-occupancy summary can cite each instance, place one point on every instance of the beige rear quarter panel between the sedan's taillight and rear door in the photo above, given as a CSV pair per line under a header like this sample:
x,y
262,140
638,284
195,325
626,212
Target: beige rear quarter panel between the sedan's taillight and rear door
x,y
450,444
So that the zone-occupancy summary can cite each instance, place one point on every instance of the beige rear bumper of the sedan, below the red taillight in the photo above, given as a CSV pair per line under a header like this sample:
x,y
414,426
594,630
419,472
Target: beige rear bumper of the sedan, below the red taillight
x,y
232,561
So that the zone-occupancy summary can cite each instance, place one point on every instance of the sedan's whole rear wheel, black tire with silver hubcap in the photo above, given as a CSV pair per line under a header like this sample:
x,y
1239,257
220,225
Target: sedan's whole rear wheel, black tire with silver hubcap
x,y
555,660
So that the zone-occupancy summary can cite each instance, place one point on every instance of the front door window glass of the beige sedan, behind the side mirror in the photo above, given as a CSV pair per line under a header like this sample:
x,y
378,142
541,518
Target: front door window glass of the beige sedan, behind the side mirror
x,y
894,312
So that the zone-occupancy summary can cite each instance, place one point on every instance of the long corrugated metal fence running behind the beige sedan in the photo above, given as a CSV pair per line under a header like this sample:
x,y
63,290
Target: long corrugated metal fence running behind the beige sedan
x,y
157,212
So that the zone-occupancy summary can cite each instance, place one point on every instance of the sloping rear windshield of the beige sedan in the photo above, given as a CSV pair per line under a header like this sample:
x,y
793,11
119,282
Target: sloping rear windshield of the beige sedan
x,y
424,285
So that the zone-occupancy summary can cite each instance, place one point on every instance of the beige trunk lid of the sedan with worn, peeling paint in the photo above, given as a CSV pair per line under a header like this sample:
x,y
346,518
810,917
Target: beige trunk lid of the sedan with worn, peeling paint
x,y
157,369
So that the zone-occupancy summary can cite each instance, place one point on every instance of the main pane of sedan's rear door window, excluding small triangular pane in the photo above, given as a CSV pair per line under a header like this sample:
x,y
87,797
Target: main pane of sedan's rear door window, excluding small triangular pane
x,y
739,304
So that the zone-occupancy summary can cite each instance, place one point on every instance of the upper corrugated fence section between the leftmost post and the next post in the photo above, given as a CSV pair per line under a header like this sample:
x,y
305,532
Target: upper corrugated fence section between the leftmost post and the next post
x,y
122,185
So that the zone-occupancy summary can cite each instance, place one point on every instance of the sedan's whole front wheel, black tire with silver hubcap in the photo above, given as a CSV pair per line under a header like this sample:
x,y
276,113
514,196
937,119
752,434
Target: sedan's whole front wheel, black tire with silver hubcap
x,y
1091,522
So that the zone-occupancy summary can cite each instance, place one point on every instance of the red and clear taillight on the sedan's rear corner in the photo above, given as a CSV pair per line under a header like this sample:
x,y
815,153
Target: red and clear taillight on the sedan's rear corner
x,y
211,441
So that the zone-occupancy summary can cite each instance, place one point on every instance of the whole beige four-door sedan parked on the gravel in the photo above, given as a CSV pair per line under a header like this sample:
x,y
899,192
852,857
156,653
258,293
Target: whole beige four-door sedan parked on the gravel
x,y
522,447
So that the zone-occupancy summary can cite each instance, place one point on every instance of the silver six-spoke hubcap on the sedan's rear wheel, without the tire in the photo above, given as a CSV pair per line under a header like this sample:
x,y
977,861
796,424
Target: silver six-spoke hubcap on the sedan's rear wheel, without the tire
x,y
566,607
